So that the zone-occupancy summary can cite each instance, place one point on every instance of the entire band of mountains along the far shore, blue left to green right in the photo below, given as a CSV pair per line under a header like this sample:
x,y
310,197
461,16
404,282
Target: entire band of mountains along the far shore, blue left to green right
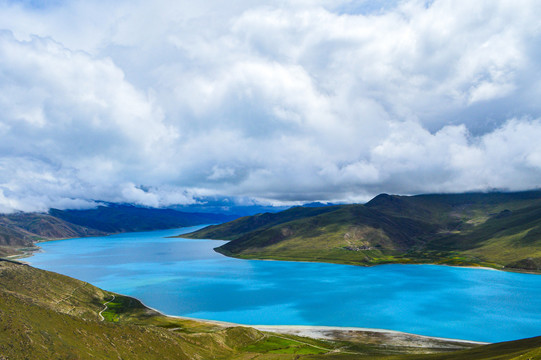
x,y
500,230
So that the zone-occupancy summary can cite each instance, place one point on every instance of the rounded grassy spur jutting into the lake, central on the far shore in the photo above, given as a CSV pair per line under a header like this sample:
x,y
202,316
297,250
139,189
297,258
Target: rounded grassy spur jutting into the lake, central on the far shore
x,y
351,233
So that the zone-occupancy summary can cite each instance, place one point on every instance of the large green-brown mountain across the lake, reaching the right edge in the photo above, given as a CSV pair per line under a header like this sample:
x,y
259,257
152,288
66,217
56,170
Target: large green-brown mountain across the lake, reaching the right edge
x,y
501,230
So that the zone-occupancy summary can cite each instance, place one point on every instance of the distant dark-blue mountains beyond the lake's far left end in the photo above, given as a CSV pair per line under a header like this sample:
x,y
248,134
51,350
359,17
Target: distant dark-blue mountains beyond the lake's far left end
x,y
23,229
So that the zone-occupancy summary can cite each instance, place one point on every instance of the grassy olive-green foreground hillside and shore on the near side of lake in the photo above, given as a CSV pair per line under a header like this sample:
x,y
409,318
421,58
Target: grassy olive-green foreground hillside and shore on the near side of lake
x,y
44,315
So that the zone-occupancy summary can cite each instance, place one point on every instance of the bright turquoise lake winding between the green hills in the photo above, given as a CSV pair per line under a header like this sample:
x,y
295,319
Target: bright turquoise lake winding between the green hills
x,y
187,278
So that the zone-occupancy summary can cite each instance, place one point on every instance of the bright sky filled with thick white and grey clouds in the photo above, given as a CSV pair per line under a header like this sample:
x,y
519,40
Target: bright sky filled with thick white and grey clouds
x,y
164,102
